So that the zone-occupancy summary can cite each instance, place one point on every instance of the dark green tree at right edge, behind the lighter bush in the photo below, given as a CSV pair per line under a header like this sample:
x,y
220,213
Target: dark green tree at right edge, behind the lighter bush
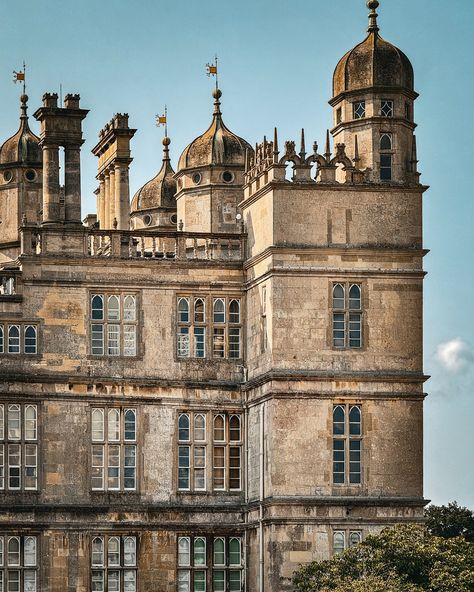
x,y
450,521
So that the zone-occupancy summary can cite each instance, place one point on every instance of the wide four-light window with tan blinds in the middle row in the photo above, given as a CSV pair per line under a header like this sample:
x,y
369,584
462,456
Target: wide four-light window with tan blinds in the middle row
x,y
223,441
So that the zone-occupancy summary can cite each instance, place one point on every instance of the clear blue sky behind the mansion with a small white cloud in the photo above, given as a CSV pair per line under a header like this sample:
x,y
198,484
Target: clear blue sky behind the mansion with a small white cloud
x,y
276,64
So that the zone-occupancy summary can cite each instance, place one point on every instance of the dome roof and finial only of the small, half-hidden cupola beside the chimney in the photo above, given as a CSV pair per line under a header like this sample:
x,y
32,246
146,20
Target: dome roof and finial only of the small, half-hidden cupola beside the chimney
x,y
160,191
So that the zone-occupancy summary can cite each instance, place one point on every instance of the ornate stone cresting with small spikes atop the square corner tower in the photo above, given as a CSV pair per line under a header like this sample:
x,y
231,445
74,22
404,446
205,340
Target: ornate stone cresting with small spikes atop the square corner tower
x,y
268,163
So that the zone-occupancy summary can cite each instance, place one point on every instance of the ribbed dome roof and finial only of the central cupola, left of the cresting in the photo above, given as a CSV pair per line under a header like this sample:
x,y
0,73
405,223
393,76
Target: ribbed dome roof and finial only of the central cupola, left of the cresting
x,y
216,146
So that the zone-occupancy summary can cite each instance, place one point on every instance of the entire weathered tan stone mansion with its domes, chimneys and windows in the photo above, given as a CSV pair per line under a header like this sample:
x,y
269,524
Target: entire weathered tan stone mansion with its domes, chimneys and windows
x,y
215,345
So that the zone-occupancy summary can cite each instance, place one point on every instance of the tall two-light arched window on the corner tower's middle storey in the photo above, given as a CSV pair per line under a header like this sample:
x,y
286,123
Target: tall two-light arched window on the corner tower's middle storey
x,y
347,445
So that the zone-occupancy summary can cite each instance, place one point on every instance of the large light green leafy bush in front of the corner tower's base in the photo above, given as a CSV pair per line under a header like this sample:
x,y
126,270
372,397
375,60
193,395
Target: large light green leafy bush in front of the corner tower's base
x,y
399,559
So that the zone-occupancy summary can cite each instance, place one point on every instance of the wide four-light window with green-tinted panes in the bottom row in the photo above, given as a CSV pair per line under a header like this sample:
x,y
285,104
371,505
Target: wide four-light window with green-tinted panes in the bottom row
x,y
210,563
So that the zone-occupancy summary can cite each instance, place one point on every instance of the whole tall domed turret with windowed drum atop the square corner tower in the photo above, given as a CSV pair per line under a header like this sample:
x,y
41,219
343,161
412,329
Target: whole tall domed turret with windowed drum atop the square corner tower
x,y
373,102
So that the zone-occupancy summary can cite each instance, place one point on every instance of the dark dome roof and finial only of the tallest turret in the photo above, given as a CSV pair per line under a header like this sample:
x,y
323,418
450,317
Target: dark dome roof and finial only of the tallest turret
x,y
373,63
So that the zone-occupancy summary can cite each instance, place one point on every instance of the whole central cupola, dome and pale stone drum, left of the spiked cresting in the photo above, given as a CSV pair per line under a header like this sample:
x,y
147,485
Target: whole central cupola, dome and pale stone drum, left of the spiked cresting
x,y
210,177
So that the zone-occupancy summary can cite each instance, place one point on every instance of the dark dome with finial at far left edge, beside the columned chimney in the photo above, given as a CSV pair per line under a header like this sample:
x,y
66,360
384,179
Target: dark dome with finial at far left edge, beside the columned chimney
x,y
24,146
